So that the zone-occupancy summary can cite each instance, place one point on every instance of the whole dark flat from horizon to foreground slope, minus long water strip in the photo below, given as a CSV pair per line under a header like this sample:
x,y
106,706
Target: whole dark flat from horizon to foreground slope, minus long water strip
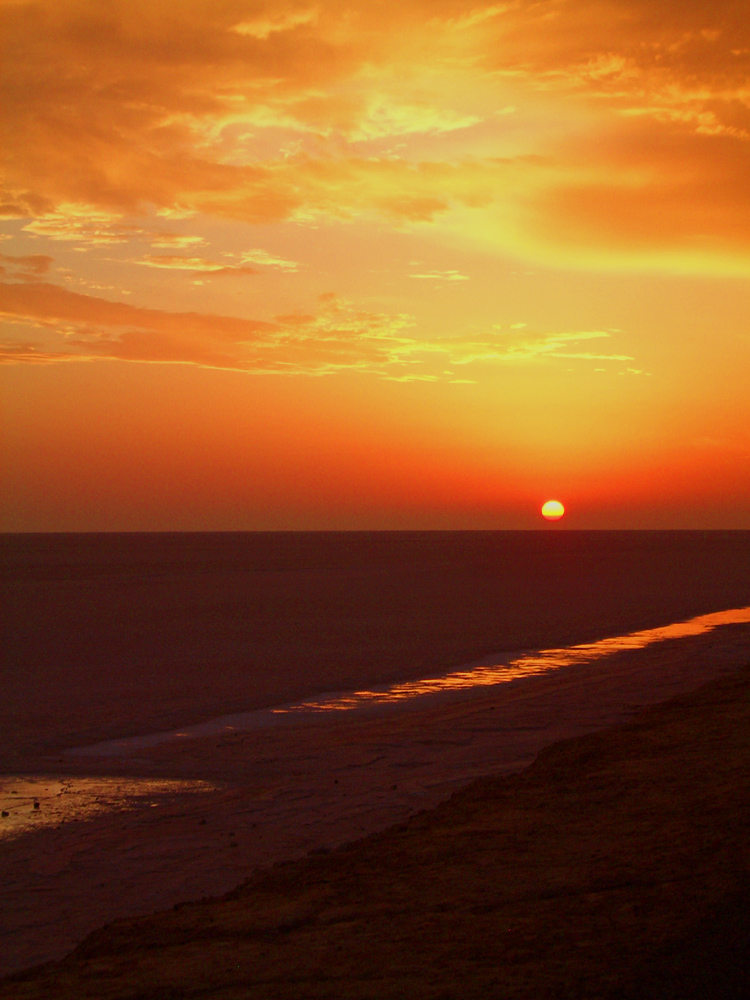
x,y
122,635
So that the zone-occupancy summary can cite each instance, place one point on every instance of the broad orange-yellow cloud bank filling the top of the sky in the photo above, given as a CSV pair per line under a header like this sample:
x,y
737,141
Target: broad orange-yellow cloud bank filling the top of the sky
x,y
633,119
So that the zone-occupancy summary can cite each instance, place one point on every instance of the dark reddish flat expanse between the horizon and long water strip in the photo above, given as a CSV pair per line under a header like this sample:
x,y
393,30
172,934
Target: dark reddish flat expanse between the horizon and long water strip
x,y
111,637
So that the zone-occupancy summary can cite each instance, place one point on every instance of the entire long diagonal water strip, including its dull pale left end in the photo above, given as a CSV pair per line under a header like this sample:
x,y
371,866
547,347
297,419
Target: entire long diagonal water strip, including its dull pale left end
x,y
476,676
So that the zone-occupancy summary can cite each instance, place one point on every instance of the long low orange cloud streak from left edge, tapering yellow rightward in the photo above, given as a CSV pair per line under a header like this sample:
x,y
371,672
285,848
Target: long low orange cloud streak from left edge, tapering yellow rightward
x,y
337,337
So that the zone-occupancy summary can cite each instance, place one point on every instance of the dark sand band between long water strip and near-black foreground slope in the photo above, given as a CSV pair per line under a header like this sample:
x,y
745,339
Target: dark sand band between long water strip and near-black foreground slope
x,y
138,841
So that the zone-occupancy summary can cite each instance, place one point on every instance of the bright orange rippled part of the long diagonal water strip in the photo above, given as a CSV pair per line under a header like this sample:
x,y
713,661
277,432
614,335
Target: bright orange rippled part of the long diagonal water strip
x,y
523,666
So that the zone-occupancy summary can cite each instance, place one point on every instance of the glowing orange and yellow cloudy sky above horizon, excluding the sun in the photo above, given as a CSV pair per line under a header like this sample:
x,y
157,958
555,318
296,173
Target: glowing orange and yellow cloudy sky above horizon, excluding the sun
x,y
355,264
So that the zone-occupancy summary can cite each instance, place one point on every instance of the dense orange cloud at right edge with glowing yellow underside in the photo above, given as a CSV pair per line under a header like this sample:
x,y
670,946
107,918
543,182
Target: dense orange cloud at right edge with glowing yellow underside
x,y
680,196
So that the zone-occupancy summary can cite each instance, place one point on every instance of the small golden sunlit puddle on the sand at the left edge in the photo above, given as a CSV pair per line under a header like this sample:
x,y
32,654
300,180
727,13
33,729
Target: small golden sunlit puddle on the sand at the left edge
x,y
32,802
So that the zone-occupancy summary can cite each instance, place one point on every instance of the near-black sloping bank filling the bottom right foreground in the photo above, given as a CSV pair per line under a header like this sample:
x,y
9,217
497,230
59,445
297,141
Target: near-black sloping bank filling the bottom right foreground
x,y
617,866
